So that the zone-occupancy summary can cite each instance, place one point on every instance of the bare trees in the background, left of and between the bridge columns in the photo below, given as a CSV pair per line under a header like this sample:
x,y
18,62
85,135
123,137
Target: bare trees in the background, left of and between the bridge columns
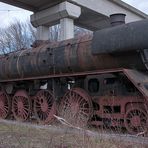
x,y
22,35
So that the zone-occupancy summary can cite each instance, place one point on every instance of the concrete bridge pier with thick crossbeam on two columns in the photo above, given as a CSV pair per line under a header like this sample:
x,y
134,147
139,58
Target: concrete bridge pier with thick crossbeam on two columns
x,y
63,13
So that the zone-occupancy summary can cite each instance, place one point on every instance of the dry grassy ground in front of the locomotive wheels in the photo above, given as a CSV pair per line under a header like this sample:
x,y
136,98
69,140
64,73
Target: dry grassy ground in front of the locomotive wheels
x,y
18,135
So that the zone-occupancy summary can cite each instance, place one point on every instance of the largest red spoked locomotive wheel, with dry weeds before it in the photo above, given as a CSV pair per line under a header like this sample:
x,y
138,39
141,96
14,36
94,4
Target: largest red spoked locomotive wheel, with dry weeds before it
x,y
73,107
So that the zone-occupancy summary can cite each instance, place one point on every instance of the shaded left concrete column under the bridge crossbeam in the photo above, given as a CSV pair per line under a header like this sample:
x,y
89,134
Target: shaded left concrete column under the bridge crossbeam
x,y
42,33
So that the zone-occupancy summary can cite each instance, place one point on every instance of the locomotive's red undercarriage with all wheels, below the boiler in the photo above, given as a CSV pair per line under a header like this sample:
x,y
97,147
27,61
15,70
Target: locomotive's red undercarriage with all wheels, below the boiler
x,y
108,105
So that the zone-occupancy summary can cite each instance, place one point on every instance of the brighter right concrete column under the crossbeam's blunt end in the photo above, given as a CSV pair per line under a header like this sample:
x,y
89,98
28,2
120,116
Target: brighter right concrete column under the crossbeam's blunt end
x,y
67,29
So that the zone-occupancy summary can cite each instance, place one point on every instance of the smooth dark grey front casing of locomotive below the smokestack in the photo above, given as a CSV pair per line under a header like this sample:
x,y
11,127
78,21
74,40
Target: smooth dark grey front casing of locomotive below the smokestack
x,y
122,38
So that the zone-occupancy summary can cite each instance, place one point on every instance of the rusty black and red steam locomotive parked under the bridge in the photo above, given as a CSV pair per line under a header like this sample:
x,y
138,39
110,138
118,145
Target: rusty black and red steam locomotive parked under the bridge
x,y
100,80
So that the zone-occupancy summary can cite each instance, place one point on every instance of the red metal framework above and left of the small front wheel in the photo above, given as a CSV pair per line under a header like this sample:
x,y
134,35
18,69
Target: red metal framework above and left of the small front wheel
x,y
111,101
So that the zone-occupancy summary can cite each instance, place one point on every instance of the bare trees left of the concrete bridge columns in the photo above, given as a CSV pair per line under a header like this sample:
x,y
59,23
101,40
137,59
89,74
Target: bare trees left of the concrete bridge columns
x,y
16,37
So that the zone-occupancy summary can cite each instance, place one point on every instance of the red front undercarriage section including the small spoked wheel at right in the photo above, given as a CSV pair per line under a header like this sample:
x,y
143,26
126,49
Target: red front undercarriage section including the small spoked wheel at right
x,y
131,113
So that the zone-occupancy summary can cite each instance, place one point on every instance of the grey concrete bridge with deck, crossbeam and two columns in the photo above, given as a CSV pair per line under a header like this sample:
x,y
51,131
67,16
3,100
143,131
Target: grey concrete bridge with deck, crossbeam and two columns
x,y
89,14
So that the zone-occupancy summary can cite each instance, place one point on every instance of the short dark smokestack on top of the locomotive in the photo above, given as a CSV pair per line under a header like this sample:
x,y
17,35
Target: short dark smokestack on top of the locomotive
x,y
117,19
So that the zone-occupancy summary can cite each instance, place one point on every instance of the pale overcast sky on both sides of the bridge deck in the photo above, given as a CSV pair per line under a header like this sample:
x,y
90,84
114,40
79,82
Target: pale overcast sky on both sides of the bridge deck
x,y
9,13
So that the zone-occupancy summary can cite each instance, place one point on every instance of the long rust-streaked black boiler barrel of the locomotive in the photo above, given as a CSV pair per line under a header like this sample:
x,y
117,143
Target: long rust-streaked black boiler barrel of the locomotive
x,y
67,57
